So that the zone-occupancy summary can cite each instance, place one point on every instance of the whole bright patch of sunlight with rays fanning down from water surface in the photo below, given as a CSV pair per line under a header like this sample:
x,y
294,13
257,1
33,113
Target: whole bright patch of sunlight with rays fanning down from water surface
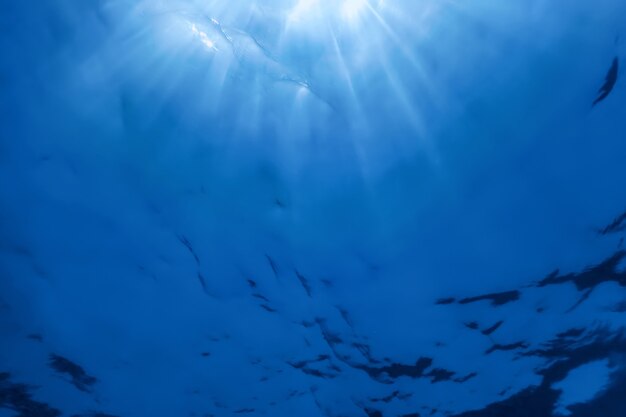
x,y
343,62
